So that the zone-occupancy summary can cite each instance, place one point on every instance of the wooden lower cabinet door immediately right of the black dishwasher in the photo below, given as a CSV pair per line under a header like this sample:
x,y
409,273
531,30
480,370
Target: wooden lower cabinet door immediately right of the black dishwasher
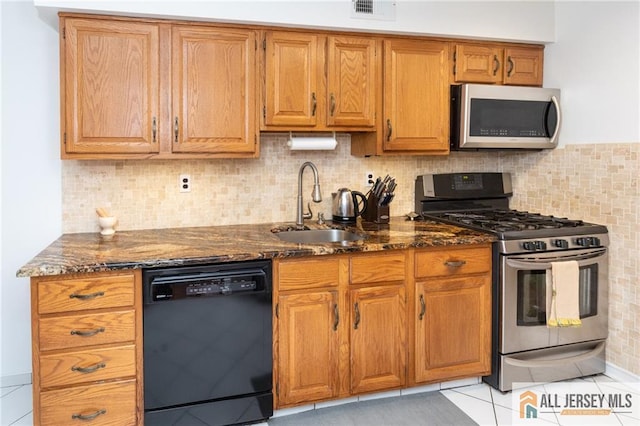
x,y
308,341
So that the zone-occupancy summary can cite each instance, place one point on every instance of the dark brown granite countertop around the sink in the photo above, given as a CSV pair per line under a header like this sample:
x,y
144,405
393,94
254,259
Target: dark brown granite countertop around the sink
x,y
90,252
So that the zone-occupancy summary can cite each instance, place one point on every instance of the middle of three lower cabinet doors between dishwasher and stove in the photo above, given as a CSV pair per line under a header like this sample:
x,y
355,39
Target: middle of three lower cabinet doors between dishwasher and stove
x,y
378,351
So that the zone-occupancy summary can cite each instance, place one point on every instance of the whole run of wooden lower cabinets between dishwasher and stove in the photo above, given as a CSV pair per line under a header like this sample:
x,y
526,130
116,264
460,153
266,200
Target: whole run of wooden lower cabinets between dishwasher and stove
x,y
347,325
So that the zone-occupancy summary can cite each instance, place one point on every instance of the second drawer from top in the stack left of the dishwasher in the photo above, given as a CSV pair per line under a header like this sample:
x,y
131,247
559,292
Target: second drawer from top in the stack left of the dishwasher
x,y
83,330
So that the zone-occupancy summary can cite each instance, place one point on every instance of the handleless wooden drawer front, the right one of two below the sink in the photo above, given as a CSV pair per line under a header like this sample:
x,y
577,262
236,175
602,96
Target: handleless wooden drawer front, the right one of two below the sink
x,y
377,268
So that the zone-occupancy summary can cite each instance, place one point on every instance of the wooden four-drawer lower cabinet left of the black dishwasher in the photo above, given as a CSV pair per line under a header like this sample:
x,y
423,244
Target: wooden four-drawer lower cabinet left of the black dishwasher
x,y
87,349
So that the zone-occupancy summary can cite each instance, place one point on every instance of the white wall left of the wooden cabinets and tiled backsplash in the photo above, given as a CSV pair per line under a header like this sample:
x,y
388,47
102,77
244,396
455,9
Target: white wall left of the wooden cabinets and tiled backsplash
x,y
31,188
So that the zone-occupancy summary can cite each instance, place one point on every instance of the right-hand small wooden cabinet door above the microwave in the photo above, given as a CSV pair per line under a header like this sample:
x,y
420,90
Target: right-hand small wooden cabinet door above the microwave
x,y
523,66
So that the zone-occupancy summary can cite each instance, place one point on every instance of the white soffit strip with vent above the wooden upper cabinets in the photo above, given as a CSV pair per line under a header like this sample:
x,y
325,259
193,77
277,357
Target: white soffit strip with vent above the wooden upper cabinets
x,y
514,20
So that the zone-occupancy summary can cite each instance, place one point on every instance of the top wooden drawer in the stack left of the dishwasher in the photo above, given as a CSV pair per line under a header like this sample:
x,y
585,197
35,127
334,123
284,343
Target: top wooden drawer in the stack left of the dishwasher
x,y
64,295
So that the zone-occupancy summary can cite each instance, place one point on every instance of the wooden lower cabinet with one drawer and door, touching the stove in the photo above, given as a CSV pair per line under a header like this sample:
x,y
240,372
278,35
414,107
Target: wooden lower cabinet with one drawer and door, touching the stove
x,y
453,314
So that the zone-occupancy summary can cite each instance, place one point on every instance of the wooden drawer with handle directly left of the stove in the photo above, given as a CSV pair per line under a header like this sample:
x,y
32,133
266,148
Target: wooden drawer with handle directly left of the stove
x,y
453,262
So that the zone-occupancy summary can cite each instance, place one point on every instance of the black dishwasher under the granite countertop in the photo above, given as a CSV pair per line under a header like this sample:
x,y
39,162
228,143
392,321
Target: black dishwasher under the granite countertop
x,y
207,344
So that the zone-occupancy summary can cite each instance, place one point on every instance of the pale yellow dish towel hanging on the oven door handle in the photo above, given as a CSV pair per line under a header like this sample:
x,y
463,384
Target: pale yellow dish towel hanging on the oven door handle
x,y
563,292
